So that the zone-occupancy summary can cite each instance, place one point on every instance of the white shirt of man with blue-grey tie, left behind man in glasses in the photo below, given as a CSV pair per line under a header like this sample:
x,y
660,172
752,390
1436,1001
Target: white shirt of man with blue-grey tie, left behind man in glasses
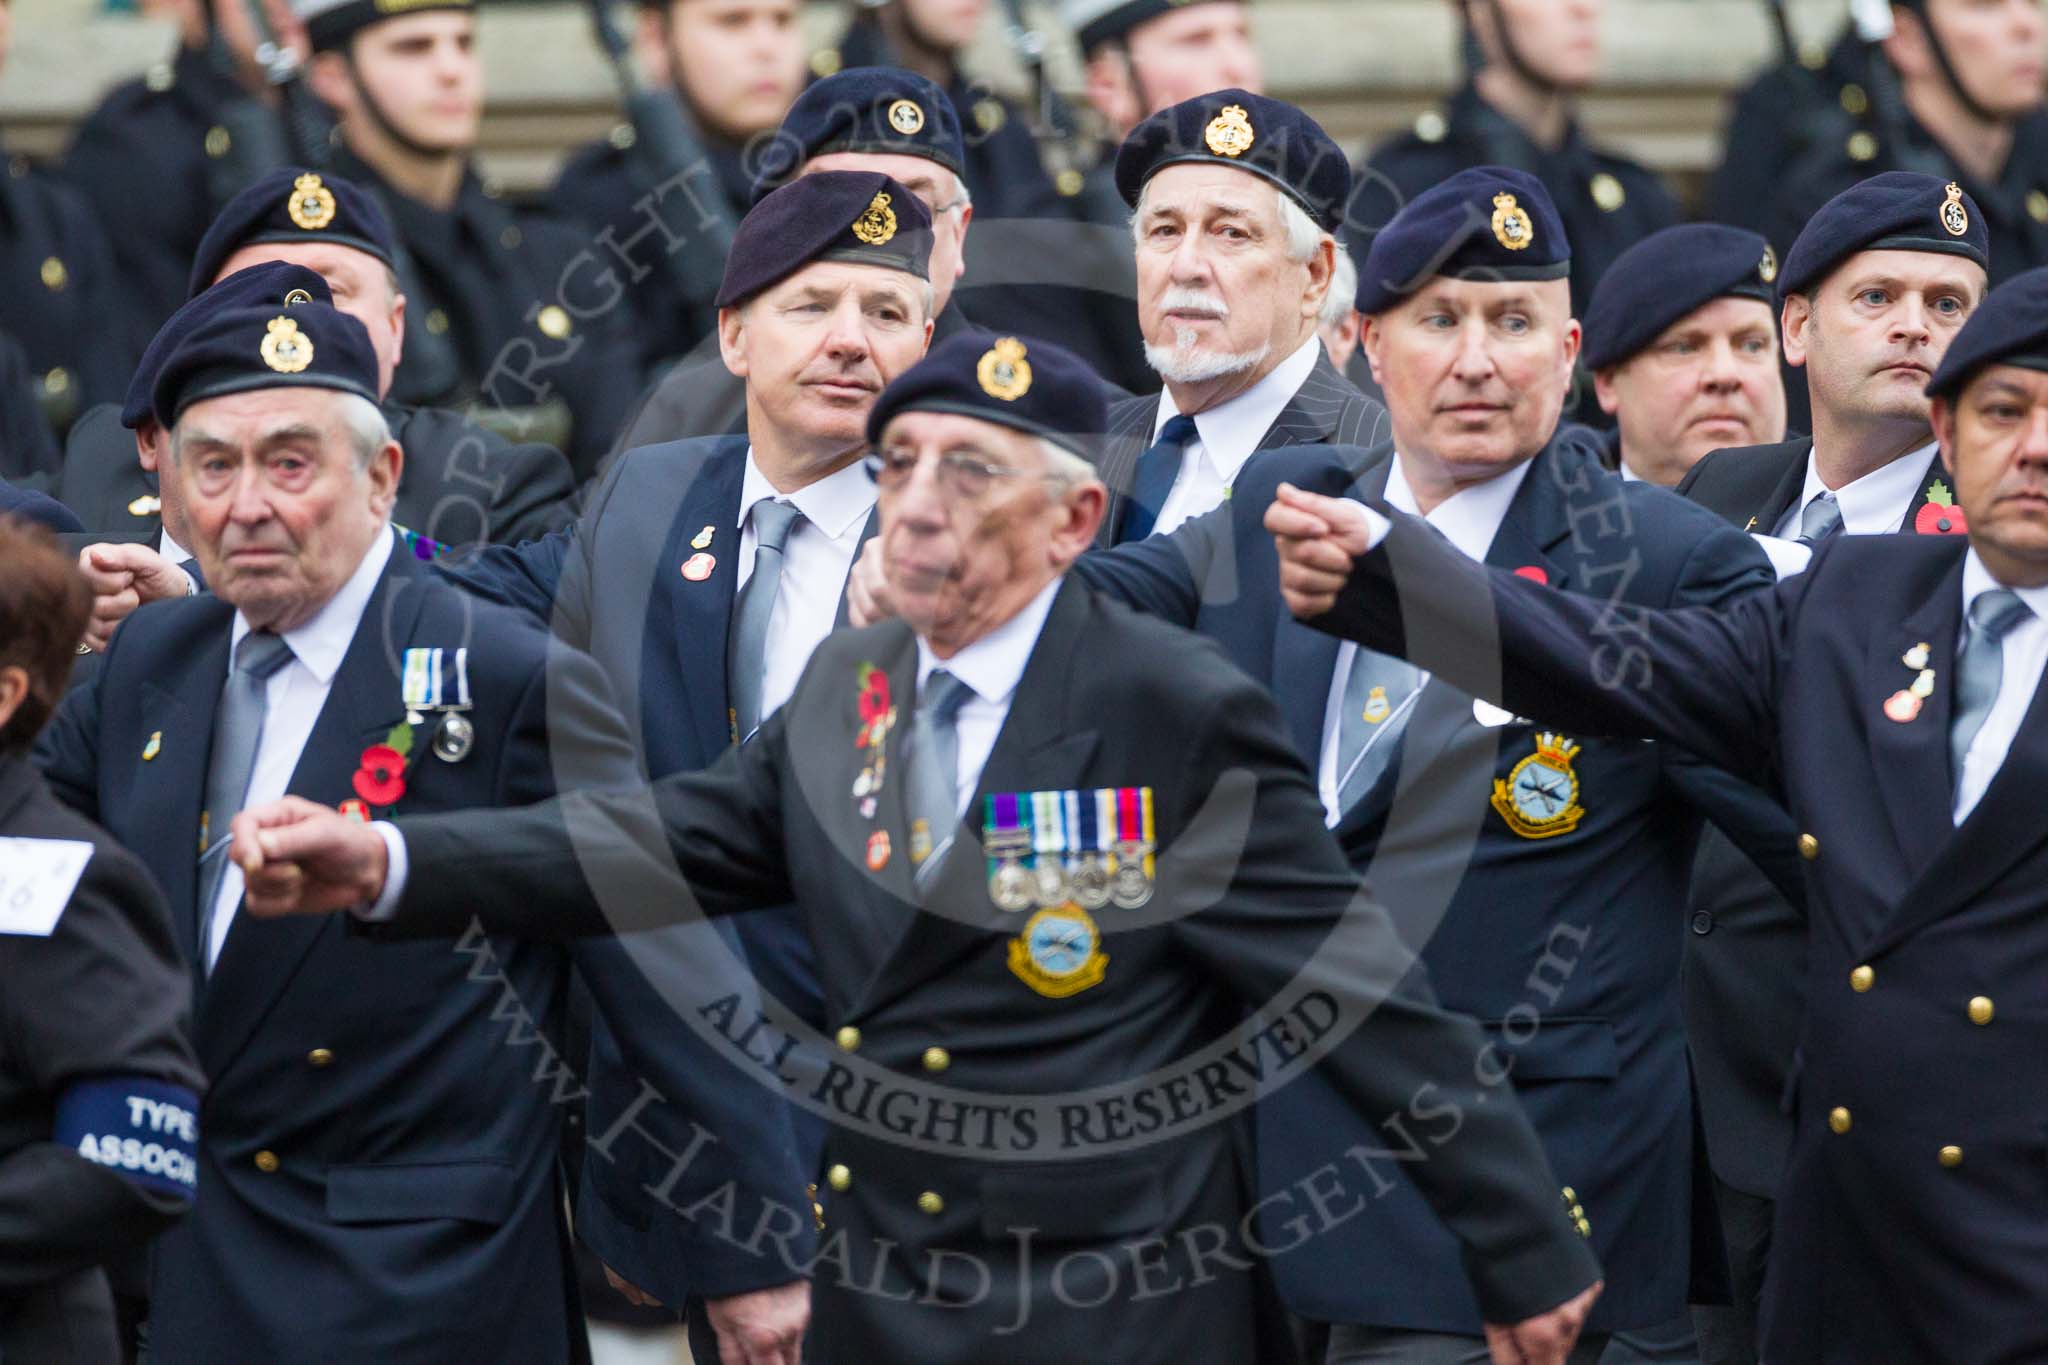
x,y
816,562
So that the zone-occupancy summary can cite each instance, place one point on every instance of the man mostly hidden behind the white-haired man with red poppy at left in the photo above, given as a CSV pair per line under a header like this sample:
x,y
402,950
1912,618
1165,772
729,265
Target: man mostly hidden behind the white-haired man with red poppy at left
x,y
464,484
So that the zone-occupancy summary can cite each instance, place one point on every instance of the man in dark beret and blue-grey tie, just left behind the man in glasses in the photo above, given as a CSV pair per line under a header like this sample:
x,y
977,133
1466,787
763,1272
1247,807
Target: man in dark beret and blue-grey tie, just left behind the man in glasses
x,y
710,570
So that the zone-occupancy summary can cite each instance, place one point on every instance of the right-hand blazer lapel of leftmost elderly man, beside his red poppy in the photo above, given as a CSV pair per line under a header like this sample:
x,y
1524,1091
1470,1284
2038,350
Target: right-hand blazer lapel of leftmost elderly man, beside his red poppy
x,y
261,957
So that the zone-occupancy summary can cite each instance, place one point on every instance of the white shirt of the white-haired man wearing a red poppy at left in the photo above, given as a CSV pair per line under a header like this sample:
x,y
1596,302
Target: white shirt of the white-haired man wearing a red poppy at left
x,y
294,699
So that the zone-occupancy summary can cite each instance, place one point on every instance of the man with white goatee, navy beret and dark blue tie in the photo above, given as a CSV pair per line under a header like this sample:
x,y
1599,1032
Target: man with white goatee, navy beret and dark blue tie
x,y
1236,204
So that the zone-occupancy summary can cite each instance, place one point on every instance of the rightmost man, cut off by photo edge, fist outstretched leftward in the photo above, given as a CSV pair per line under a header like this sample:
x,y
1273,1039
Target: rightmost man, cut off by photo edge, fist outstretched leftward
x,y
1912,740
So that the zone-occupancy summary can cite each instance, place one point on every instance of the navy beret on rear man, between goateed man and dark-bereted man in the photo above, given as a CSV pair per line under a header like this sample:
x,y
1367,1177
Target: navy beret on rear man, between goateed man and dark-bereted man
x,y
876,109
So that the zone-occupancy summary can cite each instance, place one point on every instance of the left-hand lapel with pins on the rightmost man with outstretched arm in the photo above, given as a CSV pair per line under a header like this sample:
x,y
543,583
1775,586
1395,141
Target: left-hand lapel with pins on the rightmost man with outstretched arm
x,y
1910,758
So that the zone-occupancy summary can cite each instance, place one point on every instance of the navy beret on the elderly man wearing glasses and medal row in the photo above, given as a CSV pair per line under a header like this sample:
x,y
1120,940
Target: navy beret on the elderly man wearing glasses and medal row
x,y
1013,382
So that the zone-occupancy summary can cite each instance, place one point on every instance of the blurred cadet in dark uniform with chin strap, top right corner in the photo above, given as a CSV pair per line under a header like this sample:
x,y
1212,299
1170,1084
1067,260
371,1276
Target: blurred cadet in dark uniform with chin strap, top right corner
x,y
1953,93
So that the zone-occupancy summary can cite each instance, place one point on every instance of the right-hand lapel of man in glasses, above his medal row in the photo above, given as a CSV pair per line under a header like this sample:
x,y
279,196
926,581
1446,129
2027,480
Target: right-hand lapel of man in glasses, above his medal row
x,y
1041,748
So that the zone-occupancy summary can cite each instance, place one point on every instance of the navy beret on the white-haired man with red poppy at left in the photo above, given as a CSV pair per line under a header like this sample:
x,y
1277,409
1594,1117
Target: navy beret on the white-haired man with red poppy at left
x,y
243,349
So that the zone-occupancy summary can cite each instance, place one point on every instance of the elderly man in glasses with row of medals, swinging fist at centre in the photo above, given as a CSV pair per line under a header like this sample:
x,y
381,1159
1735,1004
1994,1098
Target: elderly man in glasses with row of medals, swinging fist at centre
x,y
998,820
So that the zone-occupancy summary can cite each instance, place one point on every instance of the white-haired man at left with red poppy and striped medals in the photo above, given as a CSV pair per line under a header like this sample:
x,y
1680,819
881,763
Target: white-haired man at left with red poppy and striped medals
x,y
376,1157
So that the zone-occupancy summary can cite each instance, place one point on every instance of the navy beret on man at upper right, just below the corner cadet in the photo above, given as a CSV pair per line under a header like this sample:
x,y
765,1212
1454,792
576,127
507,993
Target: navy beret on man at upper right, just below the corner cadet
x,y
1897,212
